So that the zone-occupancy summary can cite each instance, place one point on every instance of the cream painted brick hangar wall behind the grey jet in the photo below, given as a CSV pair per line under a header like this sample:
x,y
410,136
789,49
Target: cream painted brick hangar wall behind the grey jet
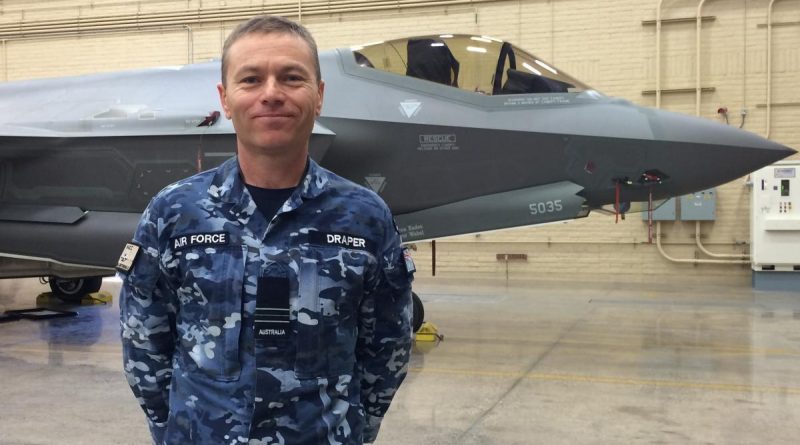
x,y
610,45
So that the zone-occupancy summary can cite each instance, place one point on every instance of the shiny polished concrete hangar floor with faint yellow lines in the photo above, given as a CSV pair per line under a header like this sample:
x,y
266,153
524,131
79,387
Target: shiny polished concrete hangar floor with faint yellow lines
x,y
541,363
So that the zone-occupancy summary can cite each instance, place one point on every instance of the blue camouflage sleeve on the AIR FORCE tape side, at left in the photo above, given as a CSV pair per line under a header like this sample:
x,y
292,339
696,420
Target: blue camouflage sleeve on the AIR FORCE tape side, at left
x,y
147,320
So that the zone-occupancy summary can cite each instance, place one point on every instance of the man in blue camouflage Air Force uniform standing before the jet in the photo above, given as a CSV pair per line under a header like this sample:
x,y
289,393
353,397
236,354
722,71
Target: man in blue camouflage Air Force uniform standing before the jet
x,y
266,301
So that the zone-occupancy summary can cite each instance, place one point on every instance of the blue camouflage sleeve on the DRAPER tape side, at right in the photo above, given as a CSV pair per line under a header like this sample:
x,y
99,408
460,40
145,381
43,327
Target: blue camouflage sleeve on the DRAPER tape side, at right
x,y
384,339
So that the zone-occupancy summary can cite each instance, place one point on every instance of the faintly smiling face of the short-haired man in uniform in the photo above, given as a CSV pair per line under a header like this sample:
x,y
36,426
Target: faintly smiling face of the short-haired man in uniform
x,y
271,93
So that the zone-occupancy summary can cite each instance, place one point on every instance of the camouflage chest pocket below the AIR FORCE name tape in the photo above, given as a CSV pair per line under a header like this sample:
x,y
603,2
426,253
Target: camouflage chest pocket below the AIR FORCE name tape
x,y
209,321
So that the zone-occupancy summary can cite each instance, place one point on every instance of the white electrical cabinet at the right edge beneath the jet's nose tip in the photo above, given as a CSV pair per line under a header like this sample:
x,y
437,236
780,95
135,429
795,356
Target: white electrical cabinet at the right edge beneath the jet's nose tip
x,y
775,218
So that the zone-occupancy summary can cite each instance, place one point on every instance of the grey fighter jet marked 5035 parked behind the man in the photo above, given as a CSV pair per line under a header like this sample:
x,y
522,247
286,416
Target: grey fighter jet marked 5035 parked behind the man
x,y
457,133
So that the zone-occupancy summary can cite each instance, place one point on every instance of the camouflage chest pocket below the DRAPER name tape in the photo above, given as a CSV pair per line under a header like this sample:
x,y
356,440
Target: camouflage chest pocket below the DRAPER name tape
x,y
325,322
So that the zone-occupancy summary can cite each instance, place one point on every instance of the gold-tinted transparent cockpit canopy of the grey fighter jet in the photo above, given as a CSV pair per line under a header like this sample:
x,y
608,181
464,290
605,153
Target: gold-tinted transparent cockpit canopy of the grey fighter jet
x,y
479,64
